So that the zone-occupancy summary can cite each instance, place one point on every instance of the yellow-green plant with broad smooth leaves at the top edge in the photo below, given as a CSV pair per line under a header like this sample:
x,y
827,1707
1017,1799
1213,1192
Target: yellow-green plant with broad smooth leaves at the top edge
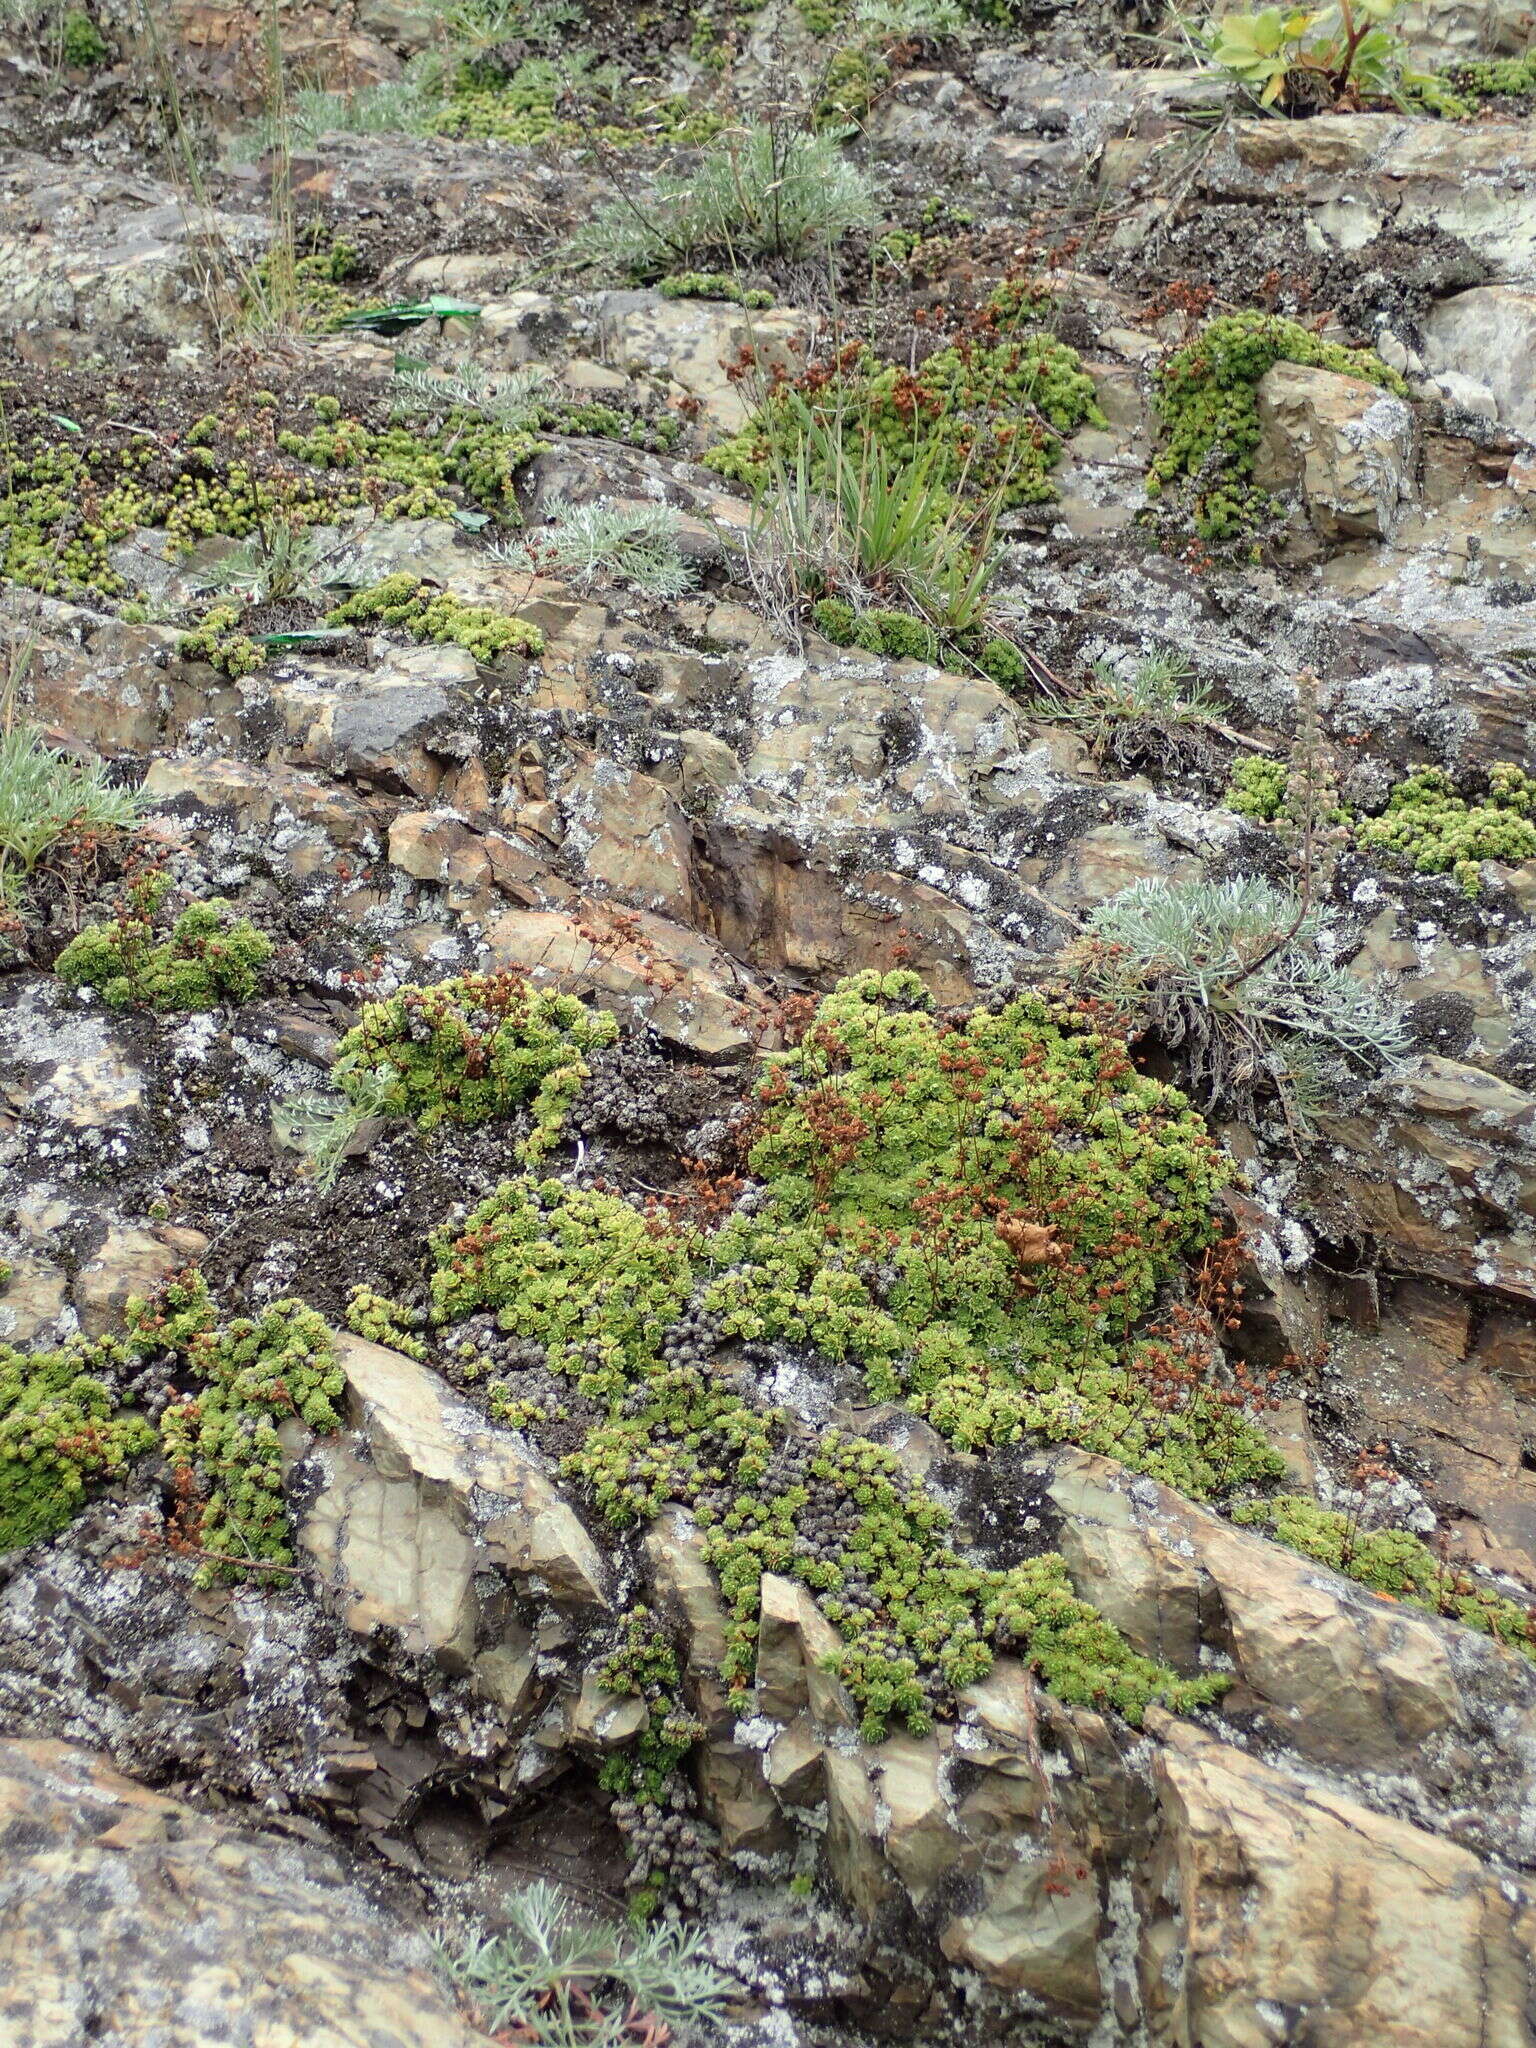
x,y
1310,58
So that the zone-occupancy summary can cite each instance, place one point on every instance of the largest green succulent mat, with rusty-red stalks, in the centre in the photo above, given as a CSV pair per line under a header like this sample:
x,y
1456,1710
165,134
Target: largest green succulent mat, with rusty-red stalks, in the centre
x,y
980,1213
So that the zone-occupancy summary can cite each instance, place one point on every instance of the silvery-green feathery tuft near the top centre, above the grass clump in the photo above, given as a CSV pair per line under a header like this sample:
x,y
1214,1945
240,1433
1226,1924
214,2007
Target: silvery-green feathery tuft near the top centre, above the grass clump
x,y
765,194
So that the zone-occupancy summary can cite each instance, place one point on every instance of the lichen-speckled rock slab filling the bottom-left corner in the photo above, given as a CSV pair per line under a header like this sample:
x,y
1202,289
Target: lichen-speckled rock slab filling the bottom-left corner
x,y
134,1920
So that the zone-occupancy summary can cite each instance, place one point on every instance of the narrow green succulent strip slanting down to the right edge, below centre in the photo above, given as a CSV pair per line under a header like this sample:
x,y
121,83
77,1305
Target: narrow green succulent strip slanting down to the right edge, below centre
x,y
1392,1562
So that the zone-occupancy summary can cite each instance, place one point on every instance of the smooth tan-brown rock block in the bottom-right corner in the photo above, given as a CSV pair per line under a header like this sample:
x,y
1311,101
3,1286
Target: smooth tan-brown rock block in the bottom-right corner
x,y
1304,1916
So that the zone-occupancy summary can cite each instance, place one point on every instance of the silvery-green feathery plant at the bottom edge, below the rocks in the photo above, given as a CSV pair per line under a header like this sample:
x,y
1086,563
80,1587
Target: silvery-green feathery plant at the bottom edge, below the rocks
x,y
560,1979
